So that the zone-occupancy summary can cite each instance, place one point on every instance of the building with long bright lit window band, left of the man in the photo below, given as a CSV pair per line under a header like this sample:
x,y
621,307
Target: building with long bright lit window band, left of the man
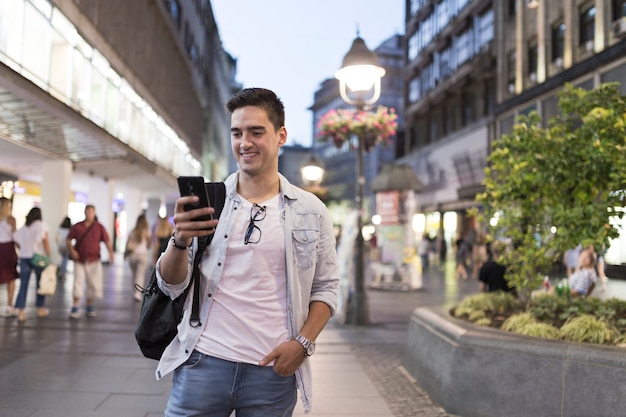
x,y
107,102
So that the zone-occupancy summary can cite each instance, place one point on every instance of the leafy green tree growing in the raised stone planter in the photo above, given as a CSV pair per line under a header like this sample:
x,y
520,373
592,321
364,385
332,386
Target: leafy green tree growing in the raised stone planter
x,y
549,189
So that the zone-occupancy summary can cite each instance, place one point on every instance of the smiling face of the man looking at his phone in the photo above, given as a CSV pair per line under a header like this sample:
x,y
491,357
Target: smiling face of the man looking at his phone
x,y
255,142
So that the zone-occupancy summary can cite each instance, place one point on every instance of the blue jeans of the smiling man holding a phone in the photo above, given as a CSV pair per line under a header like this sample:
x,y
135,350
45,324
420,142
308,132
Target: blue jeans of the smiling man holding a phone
x,y
211,387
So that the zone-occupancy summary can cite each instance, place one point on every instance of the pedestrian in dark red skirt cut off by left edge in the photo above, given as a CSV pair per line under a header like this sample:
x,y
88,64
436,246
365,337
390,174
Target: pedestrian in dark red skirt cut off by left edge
x,y
8,256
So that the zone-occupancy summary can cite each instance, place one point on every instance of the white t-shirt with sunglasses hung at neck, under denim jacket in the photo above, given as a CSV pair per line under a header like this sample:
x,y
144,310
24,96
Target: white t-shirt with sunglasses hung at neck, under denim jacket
x,y
247,319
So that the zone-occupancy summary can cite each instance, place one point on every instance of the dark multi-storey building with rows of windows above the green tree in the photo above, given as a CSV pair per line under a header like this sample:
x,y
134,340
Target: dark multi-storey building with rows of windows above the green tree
x,y
473,66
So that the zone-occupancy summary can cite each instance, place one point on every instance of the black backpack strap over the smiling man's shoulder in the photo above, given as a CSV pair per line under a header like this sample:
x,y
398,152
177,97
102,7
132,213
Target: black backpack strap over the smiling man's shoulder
x,y
217,197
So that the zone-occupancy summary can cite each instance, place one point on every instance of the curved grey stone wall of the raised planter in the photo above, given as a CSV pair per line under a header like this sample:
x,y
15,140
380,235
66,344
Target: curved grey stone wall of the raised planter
x,y
473,371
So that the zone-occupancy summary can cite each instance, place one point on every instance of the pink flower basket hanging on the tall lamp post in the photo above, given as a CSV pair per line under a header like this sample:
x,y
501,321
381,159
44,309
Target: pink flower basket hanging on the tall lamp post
x,y
372,127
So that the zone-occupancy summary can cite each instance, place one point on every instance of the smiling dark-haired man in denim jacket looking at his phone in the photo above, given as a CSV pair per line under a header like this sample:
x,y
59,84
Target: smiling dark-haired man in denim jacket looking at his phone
x,y
269,281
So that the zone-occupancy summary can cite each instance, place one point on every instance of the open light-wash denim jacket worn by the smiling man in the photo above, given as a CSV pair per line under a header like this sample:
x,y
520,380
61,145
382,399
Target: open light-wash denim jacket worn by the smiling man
x,y
312,272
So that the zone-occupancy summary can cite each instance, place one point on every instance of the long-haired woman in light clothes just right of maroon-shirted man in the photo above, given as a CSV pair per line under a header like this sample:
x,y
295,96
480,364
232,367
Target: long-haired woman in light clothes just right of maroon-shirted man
x,y
138,254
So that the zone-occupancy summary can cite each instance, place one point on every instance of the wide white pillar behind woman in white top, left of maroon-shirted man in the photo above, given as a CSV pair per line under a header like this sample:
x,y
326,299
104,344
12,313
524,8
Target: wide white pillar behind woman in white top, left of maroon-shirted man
x,y
55,198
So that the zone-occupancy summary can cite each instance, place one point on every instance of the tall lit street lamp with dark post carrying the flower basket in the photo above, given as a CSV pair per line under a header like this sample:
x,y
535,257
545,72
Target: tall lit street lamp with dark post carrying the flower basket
x,y
360,73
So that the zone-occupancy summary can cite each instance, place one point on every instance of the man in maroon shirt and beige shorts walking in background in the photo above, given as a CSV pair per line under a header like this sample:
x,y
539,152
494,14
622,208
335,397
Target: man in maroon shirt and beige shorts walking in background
x,y
85,252
